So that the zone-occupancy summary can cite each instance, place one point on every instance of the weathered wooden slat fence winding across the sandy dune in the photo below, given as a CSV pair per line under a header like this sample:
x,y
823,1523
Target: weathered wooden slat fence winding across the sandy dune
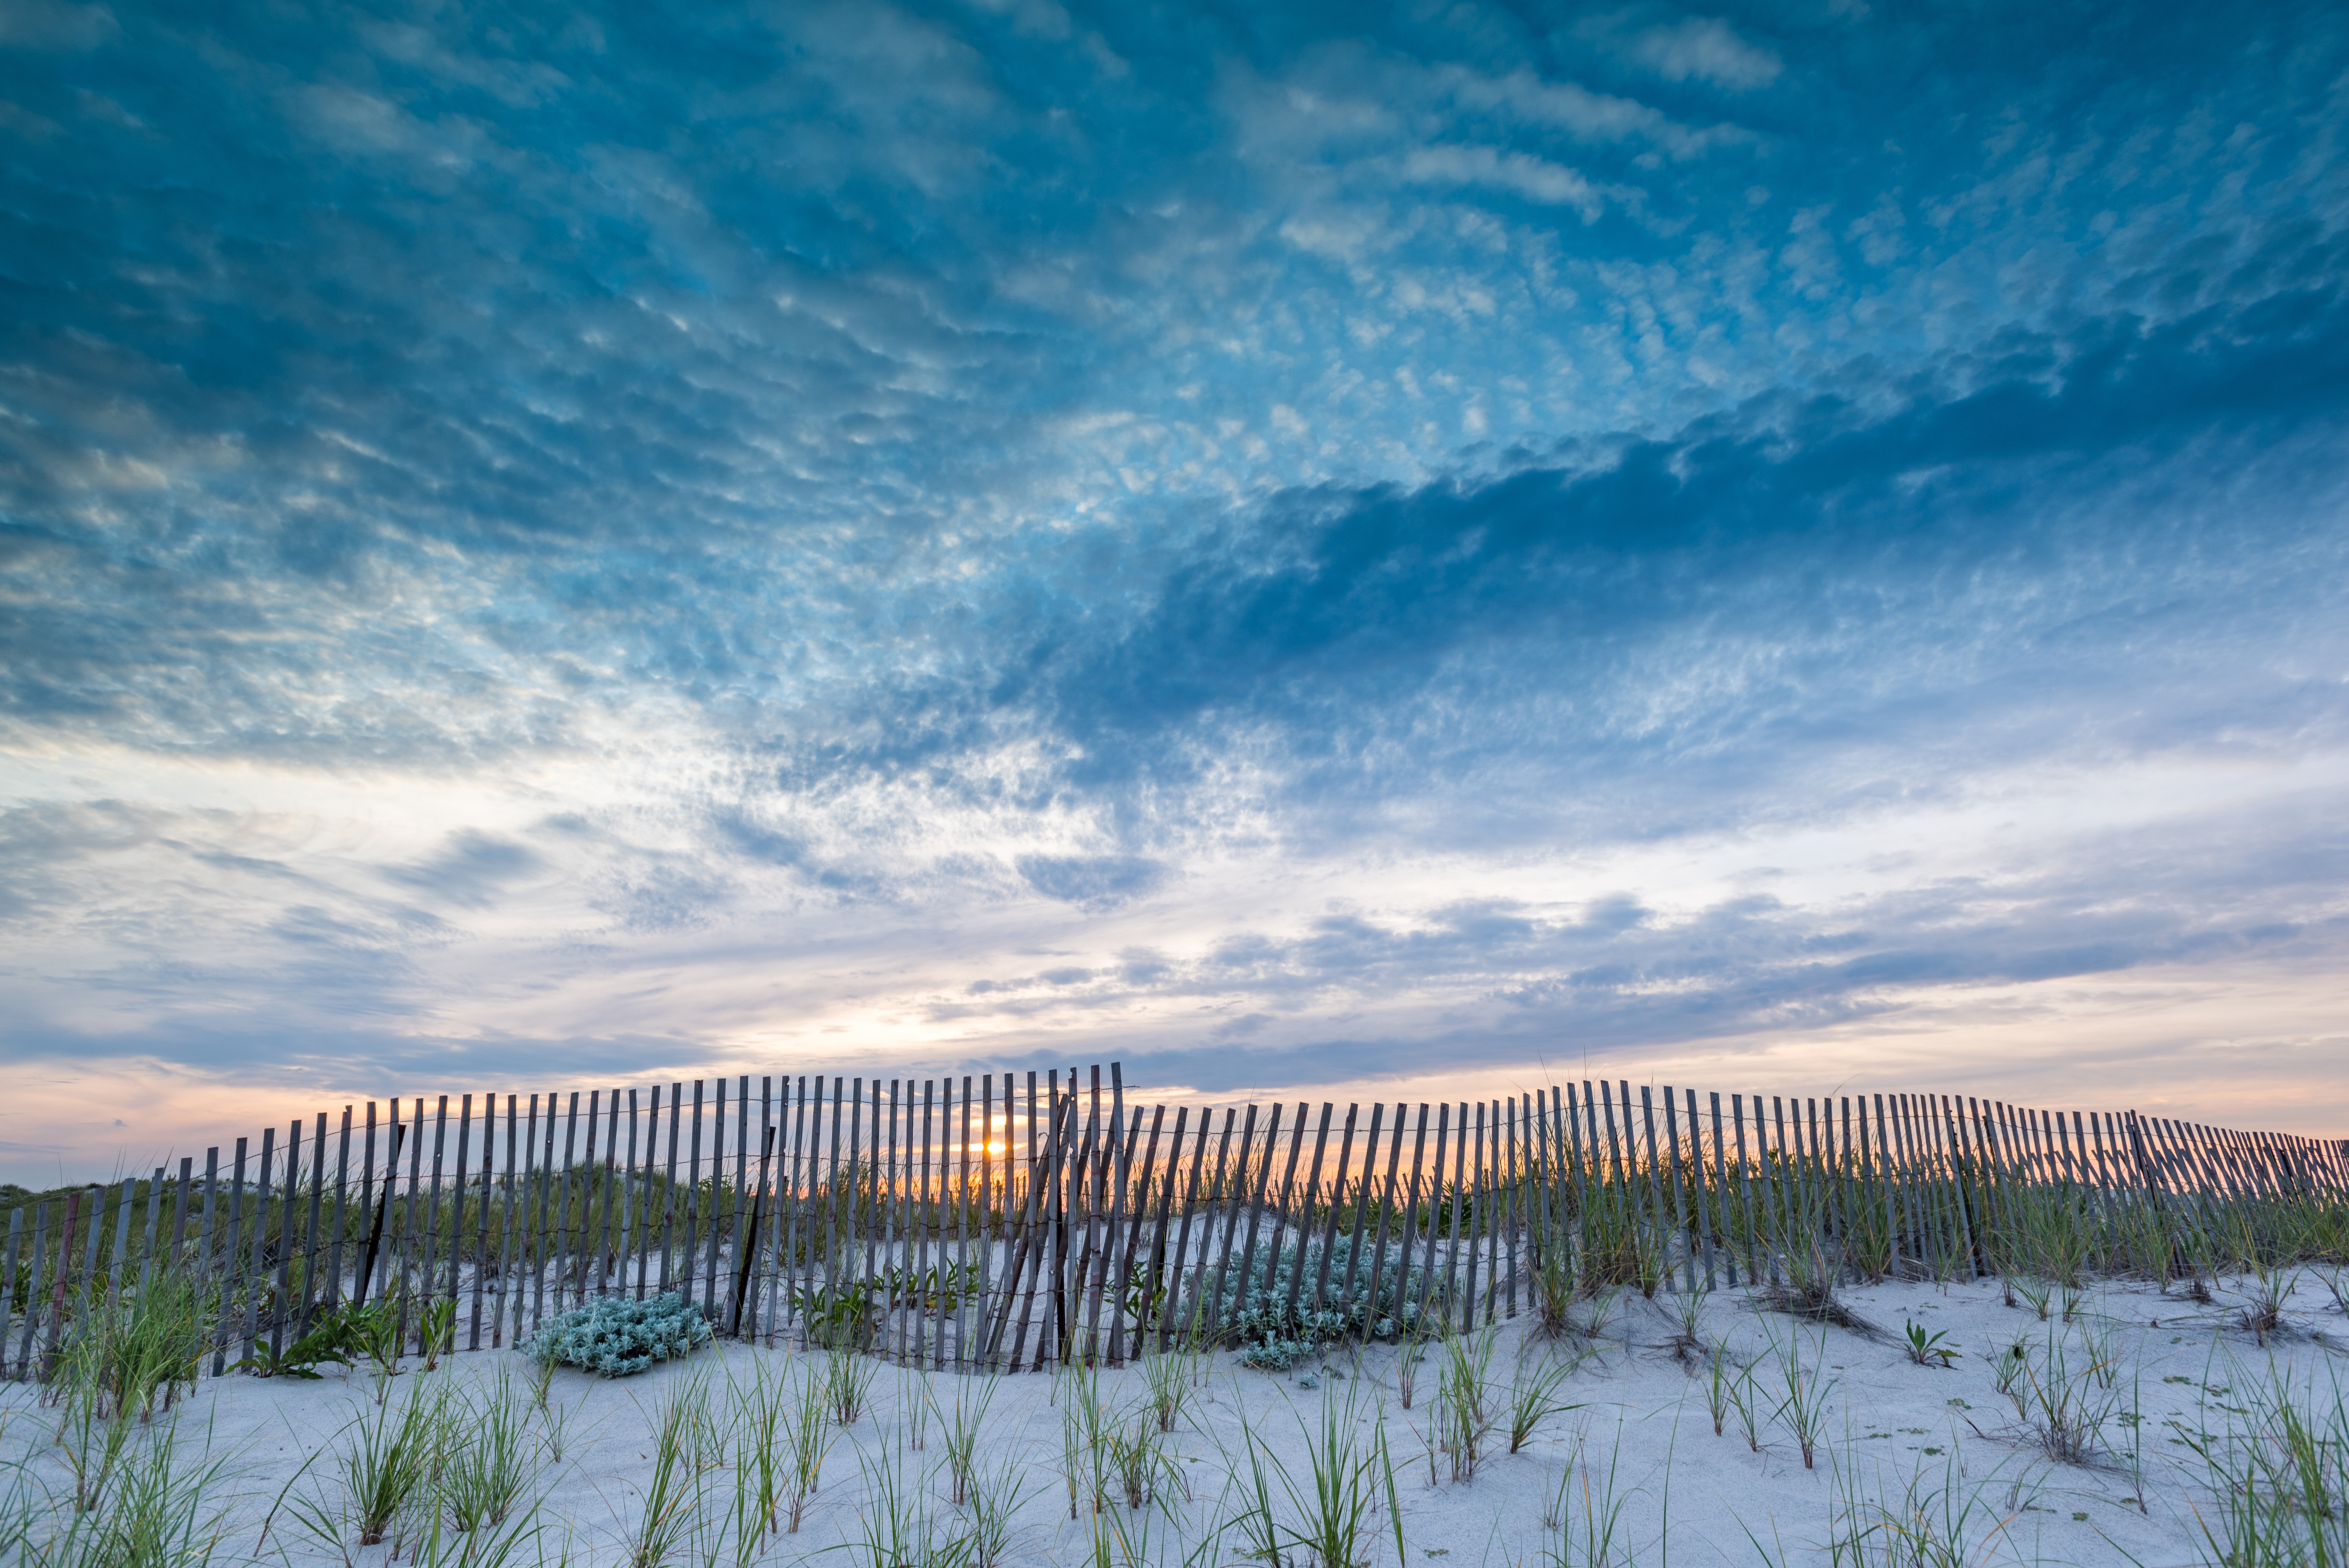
x,y
1002,1224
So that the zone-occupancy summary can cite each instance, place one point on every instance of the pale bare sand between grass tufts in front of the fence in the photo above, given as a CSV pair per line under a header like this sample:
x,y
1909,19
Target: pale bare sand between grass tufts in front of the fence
x,y
1641,1447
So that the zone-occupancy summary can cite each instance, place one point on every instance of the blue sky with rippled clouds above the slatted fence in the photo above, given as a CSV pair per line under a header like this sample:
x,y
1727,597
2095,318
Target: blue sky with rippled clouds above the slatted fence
x,y
1303,548
